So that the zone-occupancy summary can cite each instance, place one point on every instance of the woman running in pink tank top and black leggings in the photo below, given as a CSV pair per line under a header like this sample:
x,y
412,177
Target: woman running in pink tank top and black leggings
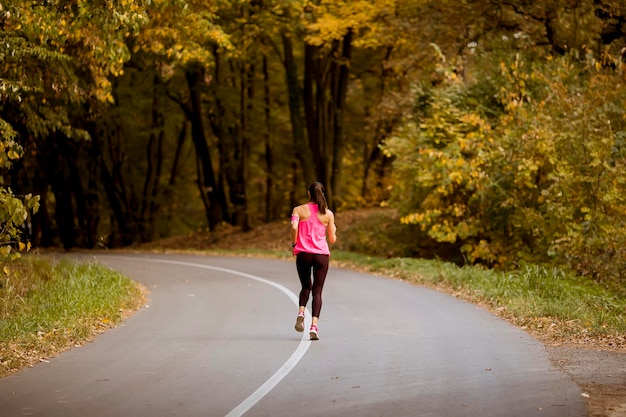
x,y
311,224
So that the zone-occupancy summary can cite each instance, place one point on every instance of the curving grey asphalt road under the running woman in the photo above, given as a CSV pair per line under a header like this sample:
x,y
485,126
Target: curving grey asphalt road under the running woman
x,y
216,339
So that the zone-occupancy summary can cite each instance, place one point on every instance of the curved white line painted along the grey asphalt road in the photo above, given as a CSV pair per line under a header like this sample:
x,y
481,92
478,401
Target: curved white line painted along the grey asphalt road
x,y
293,360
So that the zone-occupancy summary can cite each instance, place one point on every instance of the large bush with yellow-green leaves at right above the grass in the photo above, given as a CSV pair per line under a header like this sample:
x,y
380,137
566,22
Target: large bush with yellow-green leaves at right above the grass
x,y
527,162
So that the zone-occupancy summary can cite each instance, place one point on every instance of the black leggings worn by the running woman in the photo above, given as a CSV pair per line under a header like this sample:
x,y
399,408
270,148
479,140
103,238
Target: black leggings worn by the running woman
x,y
319,264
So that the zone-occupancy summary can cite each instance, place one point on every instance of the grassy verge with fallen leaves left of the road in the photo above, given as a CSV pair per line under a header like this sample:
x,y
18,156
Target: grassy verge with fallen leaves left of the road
x,y
48,306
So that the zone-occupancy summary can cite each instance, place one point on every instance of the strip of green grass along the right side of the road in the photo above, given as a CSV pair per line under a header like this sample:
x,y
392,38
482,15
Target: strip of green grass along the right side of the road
x,y
531,296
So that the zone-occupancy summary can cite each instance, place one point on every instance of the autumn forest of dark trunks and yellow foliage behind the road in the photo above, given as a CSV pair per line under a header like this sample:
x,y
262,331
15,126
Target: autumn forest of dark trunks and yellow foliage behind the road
x,y
497,129
